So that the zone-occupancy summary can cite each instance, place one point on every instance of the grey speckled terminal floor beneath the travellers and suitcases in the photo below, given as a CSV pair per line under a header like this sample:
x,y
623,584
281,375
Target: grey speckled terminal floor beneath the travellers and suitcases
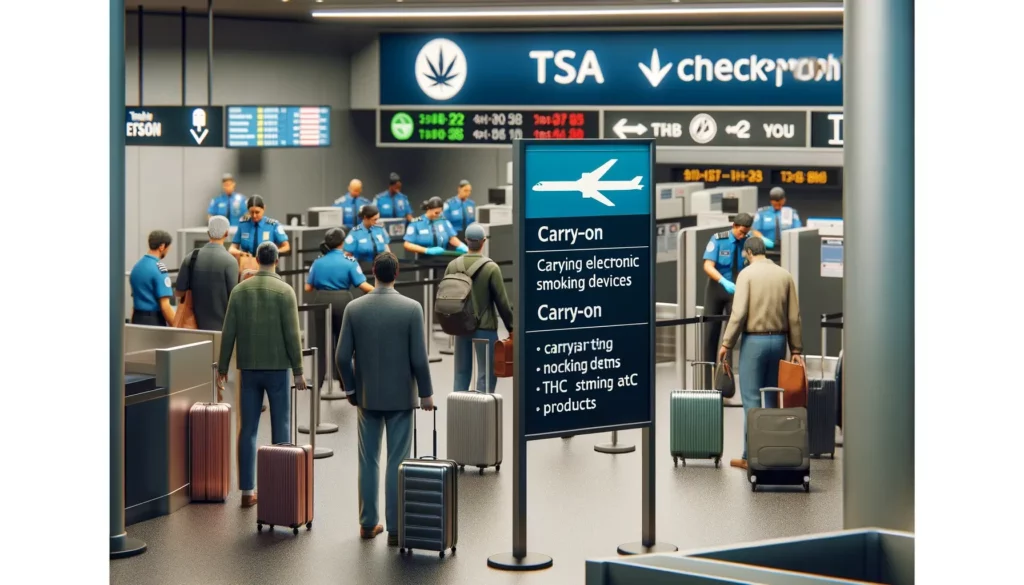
x,y
582,506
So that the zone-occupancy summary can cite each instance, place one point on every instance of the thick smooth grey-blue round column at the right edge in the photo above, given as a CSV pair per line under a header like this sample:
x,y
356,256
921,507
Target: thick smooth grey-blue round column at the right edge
x,y
878,201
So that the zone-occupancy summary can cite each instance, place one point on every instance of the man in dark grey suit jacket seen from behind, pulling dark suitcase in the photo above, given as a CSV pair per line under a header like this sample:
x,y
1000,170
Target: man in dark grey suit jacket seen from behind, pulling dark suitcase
x,y
385,332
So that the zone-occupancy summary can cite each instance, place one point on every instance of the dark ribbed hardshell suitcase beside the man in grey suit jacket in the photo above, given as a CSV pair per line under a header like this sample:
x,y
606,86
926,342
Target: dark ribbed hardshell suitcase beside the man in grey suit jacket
x,y
429,502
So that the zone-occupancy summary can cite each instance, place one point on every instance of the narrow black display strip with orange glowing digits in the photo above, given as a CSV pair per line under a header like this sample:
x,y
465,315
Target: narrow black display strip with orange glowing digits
x,y
762,177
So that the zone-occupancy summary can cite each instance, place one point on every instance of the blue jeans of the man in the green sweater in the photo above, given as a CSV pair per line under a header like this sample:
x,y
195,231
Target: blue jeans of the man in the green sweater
x,y
254,384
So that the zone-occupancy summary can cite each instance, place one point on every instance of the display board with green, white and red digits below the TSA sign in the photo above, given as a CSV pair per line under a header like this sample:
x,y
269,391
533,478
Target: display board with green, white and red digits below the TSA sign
x,y
484,128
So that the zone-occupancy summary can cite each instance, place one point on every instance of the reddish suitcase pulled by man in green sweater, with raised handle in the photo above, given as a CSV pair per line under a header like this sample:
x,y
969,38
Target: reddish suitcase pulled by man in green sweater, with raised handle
x,y
285,476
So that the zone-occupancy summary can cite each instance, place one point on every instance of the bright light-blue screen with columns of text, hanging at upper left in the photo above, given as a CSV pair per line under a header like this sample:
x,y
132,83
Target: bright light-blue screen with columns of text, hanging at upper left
x,y
278,127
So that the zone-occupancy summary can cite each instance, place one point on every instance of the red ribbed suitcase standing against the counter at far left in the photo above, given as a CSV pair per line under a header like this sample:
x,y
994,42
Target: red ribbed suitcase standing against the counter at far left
x,y
210,449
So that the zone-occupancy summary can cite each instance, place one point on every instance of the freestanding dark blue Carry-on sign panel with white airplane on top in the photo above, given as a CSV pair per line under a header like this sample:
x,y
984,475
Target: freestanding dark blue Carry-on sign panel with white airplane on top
x,y
587,311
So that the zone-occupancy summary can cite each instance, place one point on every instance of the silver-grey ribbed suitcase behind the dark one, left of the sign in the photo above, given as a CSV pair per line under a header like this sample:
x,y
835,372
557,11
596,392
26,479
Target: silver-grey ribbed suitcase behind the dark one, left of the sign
x,y
475,424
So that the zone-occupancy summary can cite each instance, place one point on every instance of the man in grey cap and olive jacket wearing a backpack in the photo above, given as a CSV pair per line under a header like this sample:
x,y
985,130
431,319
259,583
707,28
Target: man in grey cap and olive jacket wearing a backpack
x,y
489,295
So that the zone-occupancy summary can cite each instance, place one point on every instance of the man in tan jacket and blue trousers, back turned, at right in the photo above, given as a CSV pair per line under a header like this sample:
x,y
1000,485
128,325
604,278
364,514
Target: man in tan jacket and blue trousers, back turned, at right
x,y
767,313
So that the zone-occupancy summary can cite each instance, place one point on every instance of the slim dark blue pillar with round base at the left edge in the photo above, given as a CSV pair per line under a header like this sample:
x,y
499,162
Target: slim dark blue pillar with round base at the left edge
x,y
121,545
